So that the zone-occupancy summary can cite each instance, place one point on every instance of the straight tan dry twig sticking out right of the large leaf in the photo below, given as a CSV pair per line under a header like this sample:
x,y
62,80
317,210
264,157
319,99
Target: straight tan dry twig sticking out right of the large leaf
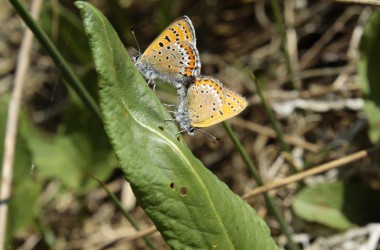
x,y
313,171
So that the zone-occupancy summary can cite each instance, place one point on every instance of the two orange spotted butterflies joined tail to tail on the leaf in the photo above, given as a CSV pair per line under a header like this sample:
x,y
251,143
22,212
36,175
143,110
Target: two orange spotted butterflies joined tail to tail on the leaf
x,y
174,58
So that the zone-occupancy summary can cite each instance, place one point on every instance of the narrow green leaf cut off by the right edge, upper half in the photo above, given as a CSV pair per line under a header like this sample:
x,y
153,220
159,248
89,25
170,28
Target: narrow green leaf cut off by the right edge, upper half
x,y
369,73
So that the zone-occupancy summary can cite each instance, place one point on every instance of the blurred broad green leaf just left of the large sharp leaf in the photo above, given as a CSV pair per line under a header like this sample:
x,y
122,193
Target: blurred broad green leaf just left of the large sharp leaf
x,y
73,151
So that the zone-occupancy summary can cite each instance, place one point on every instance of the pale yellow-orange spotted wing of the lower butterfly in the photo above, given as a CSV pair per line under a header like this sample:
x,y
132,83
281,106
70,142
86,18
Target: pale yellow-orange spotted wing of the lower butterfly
x,y
228,104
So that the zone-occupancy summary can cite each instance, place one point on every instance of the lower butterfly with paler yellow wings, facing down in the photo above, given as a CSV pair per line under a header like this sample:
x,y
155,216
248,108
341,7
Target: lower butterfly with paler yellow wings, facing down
x,y
207,103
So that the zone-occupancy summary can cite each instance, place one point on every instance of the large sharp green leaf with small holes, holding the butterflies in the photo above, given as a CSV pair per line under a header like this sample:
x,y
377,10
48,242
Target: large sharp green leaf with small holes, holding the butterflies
x,y
190,207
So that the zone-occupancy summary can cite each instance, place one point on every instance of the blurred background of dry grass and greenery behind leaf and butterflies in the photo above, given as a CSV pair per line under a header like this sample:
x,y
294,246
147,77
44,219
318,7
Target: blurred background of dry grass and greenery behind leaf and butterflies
x,y
328,102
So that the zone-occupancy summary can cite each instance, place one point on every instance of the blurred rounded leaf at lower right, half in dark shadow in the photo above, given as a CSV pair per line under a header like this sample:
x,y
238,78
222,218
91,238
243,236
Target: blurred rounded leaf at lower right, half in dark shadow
x,y
338,205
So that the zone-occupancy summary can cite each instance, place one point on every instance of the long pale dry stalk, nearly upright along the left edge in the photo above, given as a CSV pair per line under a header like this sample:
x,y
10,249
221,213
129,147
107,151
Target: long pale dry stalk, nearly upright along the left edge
x,y
12,123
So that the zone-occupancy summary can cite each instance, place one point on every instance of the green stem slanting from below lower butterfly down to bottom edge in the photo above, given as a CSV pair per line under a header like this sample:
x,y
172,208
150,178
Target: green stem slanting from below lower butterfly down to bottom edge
x,y
272,205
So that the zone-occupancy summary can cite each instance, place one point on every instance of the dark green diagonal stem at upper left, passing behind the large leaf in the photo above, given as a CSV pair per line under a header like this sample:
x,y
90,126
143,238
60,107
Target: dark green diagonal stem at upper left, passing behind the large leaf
x,y
71,79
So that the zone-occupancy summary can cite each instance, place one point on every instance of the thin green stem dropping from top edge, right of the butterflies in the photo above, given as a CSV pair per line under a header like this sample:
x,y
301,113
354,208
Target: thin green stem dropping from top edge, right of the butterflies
x,y
284,42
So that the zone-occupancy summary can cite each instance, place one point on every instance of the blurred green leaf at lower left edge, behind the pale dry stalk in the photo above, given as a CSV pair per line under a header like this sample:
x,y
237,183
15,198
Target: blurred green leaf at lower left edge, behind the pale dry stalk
x,y
25,189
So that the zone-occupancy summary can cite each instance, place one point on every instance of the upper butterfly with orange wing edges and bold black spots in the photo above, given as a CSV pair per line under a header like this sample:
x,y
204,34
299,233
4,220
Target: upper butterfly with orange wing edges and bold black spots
x,y
172,56
